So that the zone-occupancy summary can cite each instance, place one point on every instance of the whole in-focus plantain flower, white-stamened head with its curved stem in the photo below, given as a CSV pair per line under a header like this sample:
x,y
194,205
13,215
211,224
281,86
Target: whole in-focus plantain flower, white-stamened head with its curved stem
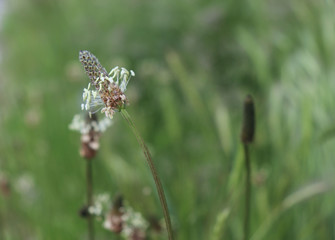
x,y
109,94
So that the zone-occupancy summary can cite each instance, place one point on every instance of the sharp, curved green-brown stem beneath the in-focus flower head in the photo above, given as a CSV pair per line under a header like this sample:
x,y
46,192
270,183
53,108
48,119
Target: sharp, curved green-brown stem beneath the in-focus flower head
x,y
159,187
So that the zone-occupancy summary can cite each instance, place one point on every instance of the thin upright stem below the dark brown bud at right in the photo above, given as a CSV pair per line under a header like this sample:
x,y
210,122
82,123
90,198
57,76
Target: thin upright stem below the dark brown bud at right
x,y
247,191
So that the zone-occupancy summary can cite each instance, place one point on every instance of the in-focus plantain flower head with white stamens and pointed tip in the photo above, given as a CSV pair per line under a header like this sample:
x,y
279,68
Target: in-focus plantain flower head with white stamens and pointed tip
x,y
109,87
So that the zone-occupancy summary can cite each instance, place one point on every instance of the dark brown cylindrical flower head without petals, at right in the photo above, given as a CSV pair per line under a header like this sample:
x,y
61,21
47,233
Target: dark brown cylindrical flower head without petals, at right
x,y
248,127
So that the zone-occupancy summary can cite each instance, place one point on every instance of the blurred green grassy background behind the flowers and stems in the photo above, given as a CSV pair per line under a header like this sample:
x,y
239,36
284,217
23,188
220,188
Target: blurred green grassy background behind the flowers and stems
x,y
195,61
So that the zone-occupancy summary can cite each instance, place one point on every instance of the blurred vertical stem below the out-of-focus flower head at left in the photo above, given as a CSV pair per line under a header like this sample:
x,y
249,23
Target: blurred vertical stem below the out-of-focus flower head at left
x,y
89,186
